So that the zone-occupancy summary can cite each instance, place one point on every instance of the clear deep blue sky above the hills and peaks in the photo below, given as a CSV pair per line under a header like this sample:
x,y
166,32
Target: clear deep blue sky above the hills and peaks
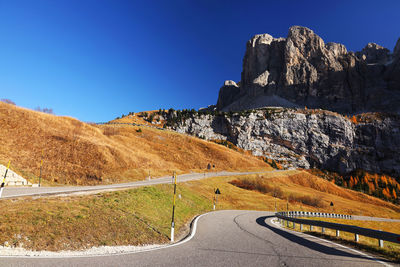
x,y
95,60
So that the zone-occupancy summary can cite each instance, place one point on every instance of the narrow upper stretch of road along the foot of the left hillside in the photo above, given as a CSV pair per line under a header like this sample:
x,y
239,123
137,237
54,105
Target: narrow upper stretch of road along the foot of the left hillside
x,y
13,192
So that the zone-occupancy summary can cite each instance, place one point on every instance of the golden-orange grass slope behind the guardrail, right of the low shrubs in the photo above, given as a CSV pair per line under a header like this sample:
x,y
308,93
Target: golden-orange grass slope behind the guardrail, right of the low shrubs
x,y
296,184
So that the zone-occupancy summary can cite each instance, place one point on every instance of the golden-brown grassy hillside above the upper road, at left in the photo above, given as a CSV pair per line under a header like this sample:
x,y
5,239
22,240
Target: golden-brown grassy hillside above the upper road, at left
x,y
79,153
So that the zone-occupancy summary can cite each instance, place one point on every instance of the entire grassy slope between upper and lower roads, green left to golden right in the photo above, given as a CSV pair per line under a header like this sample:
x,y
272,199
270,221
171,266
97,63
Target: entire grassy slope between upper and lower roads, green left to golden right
x,y
142,215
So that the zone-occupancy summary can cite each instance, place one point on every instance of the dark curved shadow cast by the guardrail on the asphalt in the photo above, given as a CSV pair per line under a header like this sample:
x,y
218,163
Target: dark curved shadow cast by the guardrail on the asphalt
x,y
306,243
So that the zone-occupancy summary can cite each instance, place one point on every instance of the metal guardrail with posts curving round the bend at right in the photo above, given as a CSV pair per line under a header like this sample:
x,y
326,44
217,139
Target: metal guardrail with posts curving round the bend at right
x,y
291,217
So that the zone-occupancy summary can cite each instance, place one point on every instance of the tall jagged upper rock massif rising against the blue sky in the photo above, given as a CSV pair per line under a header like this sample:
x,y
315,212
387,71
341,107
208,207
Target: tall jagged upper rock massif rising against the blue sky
x,y
301,70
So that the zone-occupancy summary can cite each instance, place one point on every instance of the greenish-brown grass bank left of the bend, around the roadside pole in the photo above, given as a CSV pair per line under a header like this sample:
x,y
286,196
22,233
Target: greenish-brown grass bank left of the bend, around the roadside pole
x,y
132,217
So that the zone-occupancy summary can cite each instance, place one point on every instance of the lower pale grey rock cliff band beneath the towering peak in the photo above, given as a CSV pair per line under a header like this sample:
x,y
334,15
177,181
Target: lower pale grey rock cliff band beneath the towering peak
x,y
307,138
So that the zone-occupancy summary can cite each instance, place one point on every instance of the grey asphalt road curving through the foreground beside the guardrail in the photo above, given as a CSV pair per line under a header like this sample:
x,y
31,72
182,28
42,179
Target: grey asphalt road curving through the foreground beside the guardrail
x,y
227,238
